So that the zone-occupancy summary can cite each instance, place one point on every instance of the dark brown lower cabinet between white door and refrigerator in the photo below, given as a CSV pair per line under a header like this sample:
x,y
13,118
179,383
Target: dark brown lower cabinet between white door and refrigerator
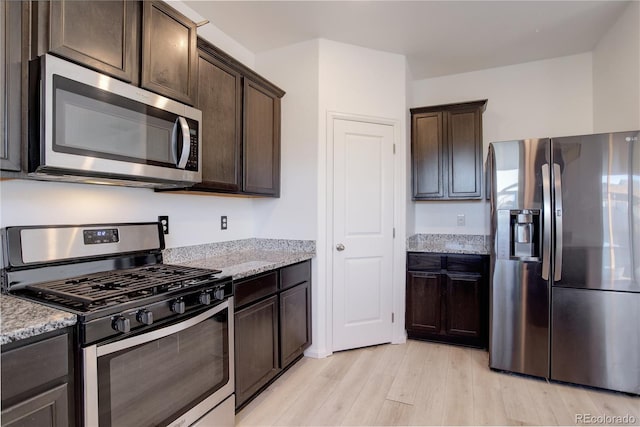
x,y
447,298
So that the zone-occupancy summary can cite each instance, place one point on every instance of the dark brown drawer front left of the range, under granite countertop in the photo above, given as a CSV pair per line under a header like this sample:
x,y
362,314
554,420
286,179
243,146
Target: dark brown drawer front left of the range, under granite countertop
x,y
33,365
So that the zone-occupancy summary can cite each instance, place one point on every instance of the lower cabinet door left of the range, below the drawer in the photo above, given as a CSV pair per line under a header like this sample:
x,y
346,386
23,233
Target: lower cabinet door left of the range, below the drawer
x,y
46,409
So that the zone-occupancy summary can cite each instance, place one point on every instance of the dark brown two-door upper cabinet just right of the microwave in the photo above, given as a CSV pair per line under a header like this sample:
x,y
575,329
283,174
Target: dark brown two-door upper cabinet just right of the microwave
x,y
241,126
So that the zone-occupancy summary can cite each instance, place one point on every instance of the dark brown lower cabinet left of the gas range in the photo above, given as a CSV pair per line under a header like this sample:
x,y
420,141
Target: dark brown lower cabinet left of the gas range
x,y
37,382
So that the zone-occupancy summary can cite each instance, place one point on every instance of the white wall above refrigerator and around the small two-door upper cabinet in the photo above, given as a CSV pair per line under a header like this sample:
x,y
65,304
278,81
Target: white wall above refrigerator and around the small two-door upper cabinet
x,y
553,97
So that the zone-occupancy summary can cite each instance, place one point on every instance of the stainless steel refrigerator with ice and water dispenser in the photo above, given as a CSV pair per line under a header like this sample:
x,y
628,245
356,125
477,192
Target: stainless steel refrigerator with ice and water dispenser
x,y
565,259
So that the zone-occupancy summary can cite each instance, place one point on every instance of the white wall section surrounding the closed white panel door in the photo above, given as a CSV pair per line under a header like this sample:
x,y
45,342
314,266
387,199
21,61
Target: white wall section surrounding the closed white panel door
x,y
362,82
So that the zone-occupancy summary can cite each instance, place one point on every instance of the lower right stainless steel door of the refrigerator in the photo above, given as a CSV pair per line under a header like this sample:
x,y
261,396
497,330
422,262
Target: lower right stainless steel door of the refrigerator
x,y
595,338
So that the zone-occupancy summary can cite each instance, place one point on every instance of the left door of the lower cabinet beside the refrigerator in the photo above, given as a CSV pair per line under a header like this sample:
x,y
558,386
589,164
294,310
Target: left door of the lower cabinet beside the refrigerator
x,y
424,308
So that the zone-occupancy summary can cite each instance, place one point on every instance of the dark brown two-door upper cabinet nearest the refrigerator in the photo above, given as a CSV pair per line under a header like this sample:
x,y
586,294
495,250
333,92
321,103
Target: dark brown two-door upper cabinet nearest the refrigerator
x,y
446,151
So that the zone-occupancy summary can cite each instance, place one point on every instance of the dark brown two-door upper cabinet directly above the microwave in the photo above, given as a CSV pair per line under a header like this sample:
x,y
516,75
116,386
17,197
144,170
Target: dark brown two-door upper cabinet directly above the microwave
x,y
146,43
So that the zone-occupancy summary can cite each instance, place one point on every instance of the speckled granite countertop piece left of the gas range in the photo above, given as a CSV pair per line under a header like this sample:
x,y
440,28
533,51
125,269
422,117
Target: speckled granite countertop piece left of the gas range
x,y
22,319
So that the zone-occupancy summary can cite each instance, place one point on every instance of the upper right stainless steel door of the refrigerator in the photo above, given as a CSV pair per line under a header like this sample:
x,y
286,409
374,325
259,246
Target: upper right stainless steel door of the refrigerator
x,y
600,176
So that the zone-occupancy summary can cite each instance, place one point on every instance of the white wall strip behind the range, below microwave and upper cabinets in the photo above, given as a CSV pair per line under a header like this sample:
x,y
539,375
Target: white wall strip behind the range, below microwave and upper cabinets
x,y
192,219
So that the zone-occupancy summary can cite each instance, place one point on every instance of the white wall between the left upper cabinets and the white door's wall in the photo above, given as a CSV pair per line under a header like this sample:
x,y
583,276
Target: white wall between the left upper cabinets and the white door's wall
x,y
295,214
